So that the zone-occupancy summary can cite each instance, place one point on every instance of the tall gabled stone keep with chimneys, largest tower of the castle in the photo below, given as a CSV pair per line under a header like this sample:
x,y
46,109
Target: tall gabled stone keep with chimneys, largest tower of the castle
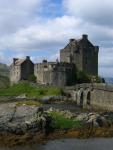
x,y
82,53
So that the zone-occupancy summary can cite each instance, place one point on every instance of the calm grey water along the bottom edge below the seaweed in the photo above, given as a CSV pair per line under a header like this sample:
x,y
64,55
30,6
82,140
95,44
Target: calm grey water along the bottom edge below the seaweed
x,y
70,144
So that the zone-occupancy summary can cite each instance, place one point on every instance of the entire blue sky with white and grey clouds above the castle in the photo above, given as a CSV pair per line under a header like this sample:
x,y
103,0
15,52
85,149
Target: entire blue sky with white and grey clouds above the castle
x,y
40,28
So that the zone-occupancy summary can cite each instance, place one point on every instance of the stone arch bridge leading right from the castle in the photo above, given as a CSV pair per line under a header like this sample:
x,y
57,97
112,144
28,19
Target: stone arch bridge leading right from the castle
x,y
92,95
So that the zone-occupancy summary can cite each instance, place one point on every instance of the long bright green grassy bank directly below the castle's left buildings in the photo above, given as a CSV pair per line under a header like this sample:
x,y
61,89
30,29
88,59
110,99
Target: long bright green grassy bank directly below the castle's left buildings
x,y
29,90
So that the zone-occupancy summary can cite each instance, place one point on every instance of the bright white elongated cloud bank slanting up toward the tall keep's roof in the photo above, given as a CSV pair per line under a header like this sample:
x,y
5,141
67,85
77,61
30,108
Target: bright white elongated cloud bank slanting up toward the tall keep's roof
x,y
42,36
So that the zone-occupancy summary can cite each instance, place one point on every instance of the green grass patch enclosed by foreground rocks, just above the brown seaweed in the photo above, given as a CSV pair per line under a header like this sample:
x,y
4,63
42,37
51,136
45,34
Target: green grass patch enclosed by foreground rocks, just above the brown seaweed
x,y
61,122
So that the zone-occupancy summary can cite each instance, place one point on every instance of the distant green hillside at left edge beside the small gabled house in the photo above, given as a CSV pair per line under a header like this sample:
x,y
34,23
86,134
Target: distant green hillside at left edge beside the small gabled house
x,y
4,75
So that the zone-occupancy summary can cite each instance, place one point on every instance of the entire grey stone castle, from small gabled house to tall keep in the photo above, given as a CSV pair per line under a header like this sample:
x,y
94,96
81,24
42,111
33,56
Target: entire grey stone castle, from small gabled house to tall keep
x,y
80,54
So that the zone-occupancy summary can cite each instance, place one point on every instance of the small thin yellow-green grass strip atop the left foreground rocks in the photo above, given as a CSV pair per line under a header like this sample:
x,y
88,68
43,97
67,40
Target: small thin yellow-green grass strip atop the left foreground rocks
x,y
29,103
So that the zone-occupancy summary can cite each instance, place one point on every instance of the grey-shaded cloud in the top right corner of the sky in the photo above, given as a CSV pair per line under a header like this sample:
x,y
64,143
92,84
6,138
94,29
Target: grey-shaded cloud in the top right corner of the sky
x,y
98,12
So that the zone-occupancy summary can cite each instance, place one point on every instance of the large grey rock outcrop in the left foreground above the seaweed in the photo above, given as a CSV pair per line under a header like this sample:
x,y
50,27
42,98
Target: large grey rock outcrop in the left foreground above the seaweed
x,y
23,119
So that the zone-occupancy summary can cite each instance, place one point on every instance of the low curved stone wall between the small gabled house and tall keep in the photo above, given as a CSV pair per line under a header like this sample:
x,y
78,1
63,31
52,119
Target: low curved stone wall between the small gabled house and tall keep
x,y
56,74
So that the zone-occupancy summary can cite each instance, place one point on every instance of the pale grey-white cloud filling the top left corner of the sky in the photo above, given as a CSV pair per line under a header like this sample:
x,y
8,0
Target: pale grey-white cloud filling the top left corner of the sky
x,y
17,14
